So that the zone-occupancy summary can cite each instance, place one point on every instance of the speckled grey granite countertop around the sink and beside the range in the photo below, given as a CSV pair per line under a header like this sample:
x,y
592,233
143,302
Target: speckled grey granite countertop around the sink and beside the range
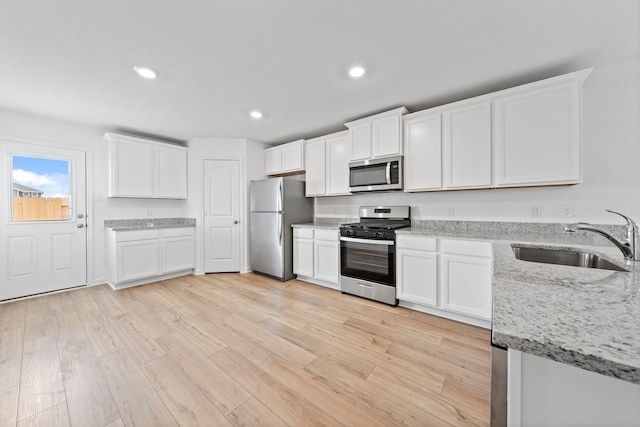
x,y
589,318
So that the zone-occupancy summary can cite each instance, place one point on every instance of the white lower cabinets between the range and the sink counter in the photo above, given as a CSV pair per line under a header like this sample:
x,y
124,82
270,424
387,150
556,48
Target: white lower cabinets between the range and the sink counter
x,y
447,277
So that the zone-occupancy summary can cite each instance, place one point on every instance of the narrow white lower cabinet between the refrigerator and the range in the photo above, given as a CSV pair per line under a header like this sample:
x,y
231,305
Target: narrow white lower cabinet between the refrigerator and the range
x,y
316,255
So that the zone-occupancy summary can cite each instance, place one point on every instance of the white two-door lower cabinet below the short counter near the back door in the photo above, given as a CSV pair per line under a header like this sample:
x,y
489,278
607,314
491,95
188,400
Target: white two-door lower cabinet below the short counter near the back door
x,y
143,256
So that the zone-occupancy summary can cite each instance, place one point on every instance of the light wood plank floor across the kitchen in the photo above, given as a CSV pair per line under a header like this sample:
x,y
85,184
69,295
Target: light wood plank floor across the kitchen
x,y
232,349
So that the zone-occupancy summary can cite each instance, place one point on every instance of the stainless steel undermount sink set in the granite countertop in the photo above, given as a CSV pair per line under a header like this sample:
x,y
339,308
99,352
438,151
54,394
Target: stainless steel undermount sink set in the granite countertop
x,y
564,257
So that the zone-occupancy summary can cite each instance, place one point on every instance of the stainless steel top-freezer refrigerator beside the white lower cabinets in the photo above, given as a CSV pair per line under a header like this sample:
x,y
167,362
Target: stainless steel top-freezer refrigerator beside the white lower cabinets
x,y
276,203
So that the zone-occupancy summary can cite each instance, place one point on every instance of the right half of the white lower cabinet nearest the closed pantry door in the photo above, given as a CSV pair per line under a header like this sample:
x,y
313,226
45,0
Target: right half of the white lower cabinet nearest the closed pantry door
x,y
177,248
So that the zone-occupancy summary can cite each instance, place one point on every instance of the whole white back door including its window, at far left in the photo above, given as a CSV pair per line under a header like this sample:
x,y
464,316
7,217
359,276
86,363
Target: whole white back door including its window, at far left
x,y
43,221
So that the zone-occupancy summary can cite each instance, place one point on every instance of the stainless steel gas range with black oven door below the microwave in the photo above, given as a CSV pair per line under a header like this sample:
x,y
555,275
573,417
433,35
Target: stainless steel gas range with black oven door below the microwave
x,y
368,252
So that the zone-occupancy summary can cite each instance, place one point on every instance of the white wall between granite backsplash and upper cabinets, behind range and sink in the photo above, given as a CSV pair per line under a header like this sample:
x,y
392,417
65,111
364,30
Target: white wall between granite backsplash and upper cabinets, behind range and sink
x,y
611,155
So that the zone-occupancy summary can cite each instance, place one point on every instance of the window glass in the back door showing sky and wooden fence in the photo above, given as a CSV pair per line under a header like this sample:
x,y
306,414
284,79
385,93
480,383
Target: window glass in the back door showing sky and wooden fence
x,y
40,189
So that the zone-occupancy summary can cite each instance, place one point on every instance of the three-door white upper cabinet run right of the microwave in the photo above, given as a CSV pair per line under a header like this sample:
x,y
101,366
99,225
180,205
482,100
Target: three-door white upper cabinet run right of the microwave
x,y
524,136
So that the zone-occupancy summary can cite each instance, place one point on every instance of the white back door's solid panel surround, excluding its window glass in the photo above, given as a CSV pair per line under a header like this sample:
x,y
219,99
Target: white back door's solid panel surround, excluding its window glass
x,y
42,256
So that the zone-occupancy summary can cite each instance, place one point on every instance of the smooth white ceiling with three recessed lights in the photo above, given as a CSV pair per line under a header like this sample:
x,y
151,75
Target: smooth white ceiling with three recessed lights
x,y
219,59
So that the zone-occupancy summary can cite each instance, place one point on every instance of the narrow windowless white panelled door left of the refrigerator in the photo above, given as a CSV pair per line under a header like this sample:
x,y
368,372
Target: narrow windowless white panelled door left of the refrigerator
x,y
221,215
